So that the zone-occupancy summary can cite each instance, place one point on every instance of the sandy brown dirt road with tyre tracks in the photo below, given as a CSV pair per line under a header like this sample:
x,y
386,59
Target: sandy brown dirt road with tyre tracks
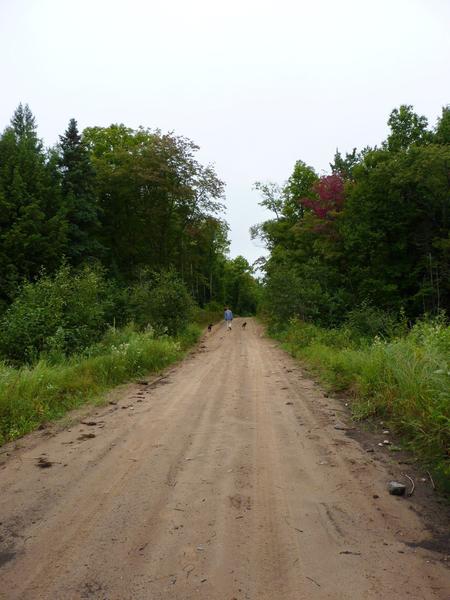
x,y
226,480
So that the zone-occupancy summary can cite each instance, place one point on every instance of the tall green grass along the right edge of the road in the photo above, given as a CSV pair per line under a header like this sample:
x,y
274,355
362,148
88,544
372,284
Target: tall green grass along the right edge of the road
x,y
404,380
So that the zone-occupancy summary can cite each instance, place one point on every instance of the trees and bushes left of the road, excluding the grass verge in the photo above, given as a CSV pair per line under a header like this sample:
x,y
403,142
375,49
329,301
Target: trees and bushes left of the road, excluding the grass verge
x,y
128,221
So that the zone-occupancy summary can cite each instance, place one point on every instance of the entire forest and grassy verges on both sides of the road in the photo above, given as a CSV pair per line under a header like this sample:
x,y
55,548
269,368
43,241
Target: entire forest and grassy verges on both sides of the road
x,y
114,254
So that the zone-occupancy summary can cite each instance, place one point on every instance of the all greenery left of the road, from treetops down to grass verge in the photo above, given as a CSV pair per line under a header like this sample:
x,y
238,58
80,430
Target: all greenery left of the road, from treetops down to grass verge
x,y
113,255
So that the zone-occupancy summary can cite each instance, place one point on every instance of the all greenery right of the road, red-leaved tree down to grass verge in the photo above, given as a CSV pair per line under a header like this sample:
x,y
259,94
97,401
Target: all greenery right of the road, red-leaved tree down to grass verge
x,y
357,283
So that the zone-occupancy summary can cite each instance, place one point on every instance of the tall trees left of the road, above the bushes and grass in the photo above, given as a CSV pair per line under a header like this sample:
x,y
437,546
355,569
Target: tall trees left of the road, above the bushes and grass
x,y
137,200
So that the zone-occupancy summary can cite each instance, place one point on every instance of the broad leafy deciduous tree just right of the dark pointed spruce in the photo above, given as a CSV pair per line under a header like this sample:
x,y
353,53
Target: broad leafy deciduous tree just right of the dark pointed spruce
x,y
159,206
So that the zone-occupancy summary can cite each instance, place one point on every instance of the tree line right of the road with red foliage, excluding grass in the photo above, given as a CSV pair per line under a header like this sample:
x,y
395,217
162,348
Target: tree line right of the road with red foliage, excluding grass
x,y
371,236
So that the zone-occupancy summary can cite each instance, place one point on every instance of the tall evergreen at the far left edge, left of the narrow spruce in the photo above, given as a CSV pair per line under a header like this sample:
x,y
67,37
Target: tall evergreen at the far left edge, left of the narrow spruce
x,y
33,232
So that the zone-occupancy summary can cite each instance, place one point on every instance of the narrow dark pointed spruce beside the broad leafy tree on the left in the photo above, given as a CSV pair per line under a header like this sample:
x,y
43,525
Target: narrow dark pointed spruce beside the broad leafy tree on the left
x,y
78,189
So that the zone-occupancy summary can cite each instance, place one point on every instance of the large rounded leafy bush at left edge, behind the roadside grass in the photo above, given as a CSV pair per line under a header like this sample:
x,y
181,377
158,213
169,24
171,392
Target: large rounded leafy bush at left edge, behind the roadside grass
x,y
56,315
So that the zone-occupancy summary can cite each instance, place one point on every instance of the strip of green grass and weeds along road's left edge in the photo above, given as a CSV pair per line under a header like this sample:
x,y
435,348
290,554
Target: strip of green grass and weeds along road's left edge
x,y
30,396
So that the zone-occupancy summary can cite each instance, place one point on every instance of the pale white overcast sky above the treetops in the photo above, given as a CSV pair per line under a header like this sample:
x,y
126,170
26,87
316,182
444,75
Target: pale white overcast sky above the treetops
x,y
256,84
